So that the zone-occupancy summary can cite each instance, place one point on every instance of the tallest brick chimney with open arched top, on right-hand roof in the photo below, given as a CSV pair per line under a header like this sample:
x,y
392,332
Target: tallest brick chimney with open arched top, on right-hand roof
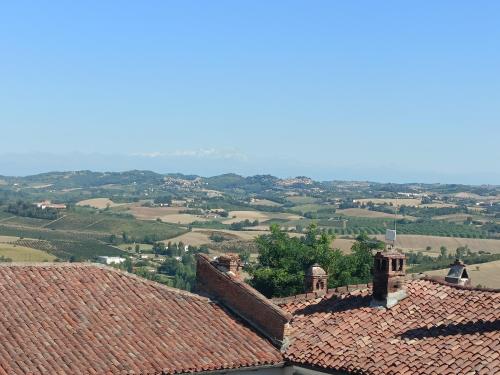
x,y
388,279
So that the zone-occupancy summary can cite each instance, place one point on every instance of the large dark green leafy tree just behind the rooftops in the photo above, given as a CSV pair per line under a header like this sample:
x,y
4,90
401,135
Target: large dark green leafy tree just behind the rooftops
x,y
284,260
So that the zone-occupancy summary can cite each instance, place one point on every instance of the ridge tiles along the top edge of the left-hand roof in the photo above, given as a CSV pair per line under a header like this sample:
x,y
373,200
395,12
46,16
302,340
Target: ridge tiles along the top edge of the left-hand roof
x,y
107,268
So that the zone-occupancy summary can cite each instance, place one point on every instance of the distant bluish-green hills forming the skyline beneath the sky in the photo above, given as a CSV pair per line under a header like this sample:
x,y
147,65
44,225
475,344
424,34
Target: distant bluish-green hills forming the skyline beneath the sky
x,y
229,181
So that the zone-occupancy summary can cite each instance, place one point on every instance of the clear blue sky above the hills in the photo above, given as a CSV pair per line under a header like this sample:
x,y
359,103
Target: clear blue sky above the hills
x,y
378,90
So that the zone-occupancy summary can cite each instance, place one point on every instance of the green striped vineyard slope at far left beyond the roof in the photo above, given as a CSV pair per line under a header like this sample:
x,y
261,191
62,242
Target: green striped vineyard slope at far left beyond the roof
x,y
83,234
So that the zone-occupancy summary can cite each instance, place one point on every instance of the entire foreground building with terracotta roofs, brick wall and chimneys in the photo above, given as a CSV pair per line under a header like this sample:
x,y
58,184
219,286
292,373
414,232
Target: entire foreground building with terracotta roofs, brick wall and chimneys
x,y
92,319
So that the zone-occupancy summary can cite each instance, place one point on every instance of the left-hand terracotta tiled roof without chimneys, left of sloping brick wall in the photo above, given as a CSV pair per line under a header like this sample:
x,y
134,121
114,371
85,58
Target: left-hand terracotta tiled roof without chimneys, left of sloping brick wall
x,y
89,319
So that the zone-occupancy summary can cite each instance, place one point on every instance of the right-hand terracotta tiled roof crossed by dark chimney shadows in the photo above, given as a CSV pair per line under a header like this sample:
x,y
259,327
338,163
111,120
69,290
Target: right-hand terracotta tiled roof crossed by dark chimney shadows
x,y
437,329
